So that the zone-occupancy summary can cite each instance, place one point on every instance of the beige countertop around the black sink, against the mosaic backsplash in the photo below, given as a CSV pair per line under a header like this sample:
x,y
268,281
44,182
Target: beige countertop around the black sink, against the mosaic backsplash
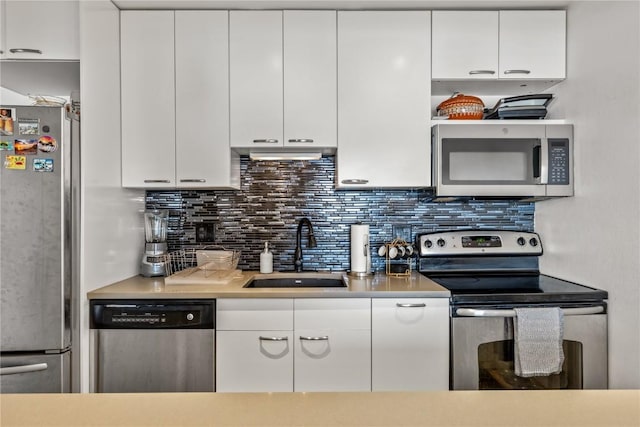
x,y
376,286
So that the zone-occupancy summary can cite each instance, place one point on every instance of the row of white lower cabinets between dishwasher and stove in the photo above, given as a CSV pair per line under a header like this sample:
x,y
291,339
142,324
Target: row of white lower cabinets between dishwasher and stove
x,y
332,344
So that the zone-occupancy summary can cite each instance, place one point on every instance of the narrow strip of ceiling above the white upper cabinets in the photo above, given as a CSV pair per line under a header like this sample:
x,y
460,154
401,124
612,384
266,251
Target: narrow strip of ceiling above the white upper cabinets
x,y
343,5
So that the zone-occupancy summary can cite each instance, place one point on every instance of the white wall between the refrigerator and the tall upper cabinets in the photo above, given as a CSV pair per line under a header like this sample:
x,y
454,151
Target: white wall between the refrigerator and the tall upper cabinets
x,y
111,228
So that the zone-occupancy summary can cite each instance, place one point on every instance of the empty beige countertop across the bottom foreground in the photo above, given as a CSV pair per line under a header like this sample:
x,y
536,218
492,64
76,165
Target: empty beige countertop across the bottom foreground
x,y
584,408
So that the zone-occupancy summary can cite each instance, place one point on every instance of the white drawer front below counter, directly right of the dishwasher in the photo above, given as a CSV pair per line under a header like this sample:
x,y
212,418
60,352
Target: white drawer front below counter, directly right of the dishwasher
x,y
254,314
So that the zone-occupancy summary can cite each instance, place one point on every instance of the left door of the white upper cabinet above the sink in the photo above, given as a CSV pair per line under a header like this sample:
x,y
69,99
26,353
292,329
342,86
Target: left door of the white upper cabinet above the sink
x,y
255,39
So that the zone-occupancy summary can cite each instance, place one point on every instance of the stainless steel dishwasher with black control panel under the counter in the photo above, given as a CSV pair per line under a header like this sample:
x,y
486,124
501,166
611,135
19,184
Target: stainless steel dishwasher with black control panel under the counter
x,y
152,346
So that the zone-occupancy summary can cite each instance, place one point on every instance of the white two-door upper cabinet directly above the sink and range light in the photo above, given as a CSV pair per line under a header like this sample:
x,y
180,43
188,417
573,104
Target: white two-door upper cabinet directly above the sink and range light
x,y
283,79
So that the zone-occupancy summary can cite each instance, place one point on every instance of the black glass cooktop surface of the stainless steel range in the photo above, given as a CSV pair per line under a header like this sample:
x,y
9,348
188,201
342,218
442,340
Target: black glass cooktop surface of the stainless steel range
x,y
526,288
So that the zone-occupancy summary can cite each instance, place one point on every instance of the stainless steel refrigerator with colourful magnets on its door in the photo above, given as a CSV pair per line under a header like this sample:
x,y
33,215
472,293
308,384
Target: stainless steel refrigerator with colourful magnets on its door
x,y
35,248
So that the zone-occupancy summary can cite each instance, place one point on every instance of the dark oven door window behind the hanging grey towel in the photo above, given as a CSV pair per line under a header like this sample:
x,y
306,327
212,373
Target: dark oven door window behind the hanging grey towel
x,y
496,369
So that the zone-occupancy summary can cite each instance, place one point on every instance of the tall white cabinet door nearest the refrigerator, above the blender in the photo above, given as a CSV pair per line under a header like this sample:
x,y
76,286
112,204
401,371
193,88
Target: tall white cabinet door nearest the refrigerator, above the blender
x,y
148,98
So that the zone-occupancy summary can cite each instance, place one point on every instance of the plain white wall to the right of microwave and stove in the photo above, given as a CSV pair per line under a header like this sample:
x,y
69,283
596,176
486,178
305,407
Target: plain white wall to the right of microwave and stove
x,y
594,237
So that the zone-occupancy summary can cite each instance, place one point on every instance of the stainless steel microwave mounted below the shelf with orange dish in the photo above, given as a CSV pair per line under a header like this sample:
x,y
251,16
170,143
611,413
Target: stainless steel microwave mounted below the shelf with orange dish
x,y
522,160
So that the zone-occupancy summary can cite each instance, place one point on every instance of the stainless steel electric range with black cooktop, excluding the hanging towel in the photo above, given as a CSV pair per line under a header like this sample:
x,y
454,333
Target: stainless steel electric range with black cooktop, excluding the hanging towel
x,y
492,272
